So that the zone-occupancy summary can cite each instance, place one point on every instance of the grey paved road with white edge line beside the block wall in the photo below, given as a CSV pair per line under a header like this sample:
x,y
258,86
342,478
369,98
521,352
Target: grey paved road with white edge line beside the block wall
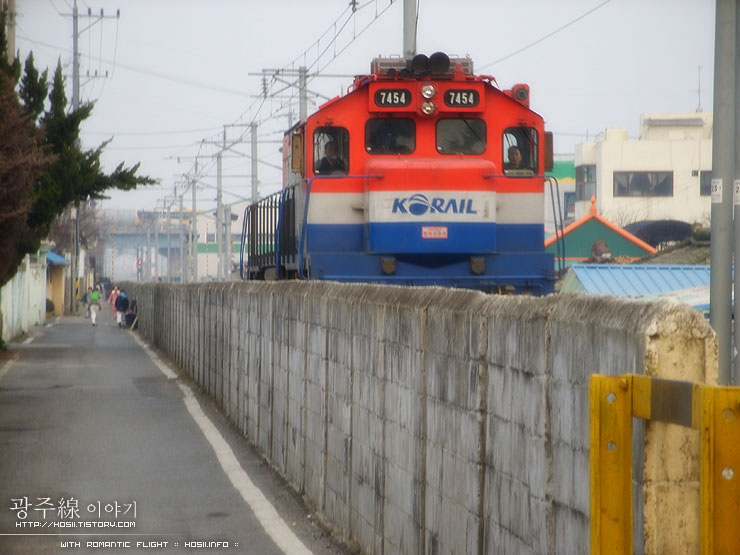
x,y
100,454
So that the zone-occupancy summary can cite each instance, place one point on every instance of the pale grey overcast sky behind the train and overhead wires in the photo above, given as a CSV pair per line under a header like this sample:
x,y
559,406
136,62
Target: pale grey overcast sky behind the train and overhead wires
x,y
178,71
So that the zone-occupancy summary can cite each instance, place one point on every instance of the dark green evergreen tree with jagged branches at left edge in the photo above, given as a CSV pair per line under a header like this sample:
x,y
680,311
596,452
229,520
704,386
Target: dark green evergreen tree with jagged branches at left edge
x,y
74,176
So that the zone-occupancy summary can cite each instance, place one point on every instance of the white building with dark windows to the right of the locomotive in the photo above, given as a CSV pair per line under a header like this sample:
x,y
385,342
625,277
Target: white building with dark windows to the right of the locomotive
x,y
664,175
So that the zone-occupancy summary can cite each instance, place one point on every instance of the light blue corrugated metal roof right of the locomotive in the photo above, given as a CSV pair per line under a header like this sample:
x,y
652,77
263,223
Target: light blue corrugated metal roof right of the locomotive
x,y
638,280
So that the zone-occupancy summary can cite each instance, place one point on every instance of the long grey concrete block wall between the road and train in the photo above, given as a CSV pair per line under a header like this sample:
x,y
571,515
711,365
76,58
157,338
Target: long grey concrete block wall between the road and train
x,y
439,421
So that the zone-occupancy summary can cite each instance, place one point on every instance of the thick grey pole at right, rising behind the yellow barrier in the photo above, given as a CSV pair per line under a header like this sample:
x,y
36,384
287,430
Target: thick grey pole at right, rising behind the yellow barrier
x,y
723,170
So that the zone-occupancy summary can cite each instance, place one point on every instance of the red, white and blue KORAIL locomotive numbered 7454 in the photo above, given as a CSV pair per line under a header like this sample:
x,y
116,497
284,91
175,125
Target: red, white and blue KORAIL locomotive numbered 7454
x,y
422,174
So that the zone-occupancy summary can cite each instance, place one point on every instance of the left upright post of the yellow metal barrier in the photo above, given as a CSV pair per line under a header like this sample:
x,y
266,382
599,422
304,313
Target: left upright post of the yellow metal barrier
x,y
611,464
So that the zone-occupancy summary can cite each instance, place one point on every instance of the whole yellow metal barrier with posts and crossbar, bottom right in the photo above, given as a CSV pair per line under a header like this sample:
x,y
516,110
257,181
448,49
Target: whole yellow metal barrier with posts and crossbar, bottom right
x,y
713,410
